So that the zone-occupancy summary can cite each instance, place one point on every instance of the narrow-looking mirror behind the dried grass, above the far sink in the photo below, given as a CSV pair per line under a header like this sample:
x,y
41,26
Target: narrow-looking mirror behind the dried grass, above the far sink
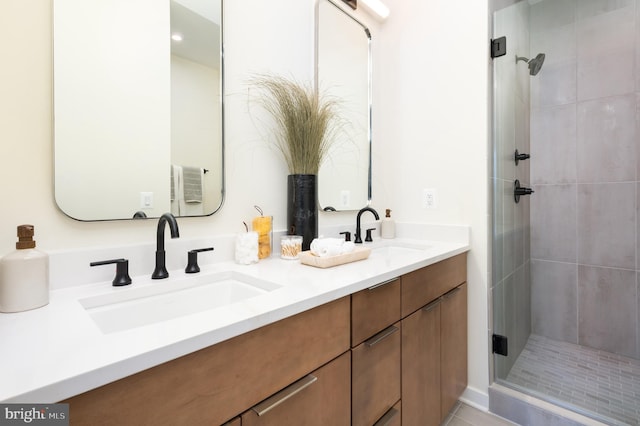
x,y
343,70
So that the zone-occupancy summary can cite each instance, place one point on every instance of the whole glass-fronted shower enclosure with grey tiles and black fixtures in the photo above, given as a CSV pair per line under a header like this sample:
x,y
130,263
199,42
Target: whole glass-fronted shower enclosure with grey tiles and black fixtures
x,y
565,297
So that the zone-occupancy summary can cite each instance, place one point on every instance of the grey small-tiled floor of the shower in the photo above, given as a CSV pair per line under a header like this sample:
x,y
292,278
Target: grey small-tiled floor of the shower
x,y
589,379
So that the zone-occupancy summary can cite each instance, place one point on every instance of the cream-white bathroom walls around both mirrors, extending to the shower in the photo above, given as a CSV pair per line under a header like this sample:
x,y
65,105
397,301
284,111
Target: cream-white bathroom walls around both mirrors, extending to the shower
x,y
430,129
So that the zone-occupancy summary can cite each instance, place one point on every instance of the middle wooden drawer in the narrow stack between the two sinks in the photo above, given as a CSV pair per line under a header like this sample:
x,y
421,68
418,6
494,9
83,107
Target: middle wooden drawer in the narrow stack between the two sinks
x,y
375,376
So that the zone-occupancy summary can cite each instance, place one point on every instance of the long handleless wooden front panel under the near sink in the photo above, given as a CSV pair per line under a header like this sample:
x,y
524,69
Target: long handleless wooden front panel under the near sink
x,y
219,382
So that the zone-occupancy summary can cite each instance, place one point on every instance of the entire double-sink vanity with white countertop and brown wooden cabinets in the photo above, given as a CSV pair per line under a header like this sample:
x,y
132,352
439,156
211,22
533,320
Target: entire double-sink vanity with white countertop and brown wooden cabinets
x,y
277,342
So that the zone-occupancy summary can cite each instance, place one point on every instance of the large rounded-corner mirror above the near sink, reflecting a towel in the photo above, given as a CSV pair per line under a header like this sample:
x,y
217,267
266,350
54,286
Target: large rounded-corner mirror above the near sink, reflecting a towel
x,y
137,115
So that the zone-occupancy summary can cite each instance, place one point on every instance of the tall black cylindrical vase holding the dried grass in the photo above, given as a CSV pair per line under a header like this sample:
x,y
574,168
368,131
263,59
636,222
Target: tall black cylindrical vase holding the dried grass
x,y
302,207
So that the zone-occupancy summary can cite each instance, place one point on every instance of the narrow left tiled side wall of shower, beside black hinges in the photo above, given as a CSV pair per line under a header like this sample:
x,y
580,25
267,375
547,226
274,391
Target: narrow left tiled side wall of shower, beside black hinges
x,y
510,290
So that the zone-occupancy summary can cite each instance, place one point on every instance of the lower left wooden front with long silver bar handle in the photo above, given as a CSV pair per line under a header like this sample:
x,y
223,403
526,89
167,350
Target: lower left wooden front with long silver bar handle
x,y
320,398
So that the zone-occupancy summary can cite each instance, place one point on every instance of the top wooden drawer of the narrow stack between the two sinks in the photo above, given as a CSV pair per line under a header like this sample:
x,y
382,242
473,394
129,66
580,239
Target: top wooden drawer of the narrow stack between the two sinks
x,y
374,309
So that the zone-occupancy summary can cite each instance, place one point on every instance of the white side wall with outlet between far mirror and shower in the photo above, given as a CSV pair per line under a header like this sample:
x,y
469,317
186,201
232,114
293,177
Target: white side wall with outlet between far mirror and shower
x,y
431,106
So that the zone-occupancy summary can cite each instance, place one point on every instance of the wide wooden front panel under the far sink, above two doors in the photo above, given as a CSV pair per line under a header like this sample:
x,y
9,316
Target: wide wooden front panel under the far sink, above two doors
x,y
427,284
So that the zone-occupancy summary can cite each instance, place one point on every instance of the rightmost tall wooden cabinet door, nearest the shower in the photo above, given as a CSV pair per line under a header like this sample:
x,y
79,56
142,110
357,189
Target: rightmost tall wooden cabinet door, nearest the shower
x,y
453,341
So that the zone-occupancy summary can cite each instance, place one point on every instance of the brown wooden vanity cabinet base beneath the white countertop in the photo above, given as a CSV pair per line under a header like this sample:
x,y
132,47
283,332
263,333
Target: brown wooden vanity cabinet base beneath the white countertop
x,y
392,354
